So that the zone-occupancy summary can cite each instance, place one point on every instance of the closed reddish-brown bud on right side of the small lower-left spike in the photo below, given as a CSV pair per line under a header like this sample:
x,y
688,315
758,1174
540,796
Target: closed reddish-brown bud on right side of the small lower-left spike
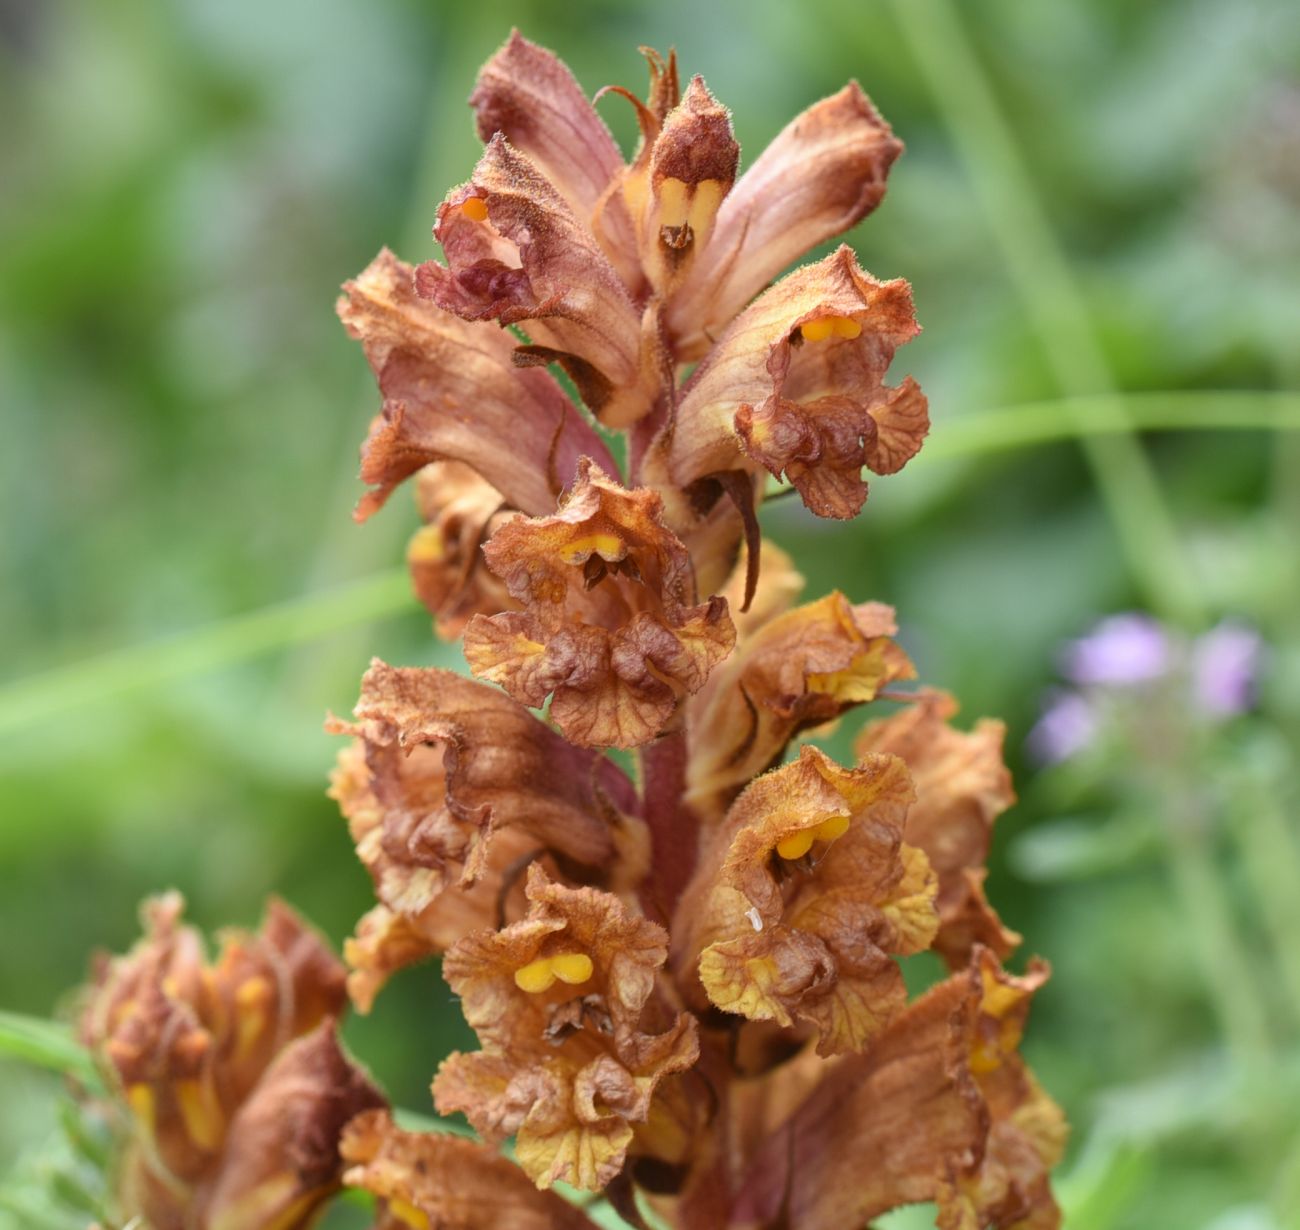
x,y
283,1159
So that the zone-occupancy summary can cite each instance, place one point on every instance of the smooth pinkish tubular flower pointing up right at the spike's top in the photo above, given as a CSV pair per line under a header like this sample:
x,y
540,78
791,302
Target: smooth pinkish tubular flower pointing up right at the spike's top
x,y
822,175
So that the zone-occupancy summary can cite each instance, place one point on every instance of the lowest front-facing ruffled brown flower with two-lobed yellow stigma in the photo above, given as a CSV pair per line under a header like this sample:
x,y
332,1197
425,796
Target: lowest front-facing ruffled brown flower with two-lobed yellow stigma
x,y
575,1037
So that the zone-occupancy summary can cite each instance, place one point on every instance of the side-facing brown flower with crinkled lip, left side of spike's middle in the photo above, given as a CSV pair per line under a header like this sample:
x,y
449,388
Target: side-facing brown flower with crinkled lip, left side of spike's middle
x,y
447,789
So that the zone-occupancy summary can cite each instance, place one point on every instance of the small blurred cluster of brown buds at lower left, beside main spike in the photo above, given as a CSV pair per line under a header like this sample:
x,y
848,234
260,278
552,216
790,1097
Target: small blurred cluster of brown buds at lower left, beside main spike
x,y
231,1077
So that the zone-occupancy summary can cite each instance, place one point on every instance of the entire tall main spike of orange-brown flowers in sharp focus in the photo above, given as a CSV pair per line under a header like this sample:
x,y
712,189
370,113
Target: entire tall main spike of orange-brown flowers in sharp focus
x,y
686,976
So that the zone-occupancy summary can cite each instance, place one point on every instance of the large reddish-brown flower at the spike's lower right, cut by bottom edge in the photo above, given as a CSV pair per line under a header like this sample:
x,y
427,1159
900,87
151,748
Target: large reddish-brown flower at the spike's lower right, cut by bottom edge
x,y
941,1108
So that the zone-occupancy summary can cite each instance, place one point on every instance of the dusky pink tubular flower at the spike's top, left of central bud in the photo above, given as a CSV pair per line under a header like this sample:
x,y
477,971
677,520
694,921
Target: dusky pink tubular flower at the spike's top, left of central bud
x,y
528,96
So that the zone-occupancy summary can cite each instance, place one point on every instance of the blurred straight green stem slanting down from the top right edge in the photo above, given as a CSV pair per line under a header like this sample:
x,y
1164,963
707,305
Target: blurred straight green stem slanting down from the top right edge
x,y
1055,302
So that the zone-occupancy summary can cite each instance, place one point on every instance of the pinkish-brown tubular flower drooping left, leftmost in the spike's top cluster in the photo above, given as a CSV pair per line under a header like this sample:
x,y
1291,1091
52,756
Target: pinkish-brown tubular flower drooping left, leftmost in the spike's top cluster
x,y
453,392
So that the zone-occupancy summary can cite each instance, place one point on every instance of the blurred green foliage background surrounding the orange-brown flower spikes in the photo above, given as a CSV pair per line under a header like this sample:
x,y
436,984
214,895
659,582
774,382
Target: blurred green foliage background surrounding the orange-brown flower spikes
x,y
1097,197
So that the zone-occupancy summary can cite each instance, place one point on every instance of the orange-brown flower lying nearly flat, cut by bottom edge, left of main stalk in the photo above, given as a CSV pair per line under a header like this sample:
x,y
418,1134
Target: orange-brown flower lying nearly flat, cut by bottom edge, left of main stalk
x,y
424,1181
